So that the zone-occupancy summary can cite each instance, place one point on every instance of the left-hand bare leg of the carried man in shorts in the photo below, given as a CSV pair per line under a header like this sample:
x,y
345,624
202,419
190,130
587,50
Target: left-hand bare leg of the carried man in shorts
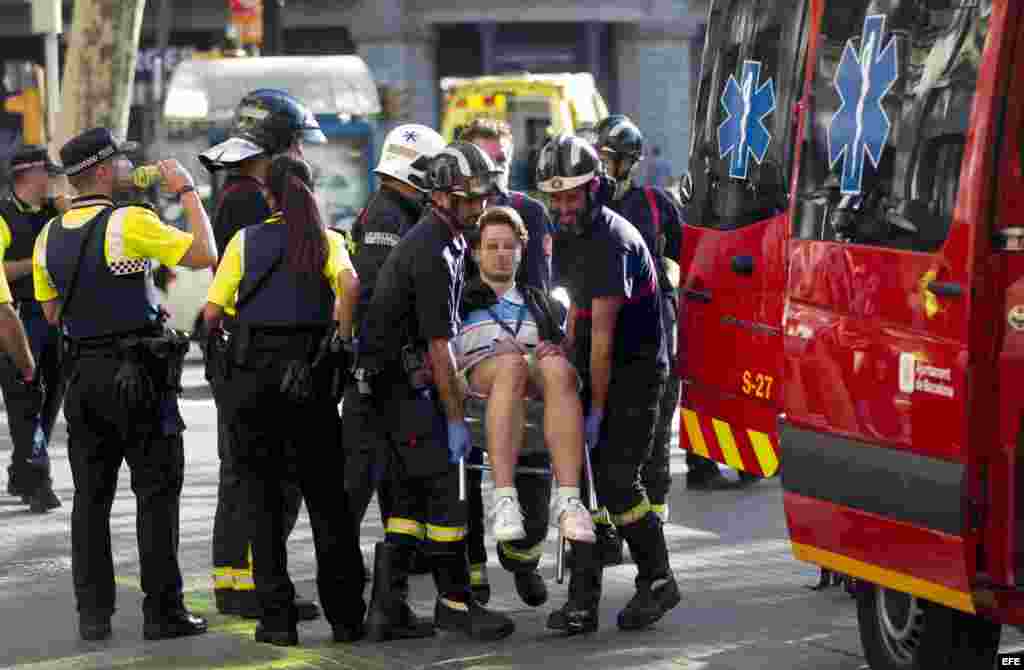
x,y
503,379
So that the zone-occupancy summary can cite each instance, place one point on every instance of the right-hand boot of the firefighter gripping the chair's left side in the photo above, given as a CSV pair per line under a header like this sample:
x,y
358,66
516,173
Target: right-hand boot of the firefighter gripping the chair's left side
x,y
456,610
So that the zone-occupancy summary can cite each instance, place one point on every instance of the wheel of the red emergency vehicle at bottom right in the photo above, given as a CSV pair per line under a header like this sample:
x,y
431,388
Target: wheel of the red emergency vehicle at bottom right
x,y
903,633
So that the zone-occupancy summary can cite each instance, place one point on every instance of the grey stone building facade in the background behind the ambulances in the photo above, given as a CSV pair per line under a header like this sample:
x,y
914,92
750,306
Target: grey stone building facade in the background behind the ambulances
x,y
644,54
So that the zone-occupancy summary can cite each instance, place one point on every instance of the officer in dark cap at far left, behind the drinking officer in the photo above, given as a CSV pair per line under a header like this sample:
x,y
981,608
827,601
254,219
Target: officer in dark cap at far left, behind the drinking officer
x,y
23,216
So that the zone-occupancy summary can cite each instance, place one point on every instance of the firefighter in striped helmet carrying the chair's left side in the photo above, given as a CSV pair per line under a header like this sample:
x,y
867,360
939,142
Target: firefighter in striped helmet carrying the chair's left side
x,y
406,361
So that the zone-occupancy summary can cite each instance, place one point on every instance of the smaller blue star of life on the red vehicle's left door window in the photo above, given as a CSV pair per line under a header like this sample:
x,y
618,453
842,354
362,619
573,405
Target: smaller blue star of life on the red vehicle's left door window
x,y
744,134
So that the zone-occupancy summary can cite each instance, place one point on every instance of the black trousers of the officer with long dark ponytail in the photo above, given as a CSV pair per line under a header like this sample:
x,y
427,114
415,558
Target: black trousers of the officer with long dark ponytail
x,y
271,449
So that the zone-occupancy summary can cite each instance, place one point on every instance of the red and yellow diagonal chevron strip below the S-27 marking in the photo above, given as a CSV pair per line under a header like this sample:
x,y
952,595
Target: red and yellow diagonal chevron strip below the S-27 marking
x,y
751,451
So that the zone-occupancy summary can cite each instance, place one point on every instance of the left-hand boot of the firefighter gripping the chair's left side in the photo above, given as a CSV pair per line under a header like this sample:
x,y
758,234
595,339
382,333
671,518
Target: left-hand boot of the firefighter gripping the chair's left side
x,y
390,616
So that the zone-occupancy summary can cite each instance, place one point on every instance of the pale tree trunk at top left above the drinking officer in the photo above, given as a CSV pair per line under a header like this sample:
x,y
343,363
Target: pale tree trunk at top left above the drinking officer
x,y
100,74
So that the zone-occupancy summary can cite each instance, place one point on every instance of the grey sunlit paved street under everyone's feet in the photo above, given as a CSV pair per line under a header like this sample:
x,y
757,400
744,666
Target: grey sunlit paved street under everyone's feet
x,y
746,601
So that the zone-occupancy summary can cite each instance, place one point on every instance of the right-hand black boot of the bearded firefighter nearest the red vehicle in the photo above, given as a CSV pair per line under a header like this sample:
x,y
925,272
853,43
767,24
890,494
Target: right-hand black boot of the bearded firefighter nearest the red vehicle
x,y
657,589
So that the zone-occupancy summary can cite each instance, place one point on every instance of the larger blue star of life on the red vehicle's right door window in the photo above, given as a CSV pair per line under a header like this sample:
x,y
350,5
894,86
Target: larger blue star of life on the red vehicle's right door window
x,y
861,127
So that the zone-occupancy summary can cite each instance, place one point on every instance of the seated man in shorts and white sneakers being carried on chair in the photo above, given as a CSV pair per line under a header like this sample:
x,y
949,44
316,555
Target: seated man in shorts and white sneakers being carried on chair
x,y
509,350
